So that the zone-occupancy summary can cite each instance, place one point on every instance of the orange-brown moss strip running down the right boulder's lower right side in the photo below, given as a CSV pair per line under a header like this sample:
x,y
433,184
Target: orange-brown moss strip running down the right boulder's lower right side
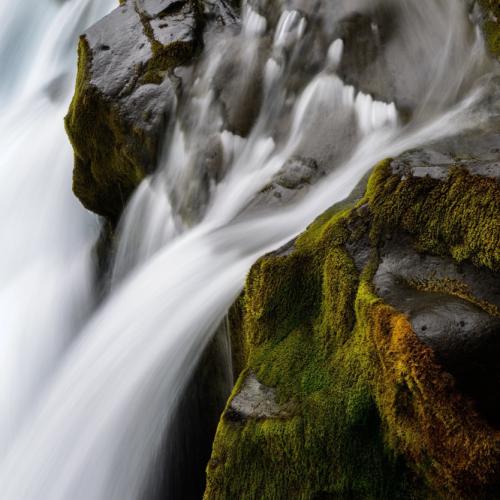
x,y
425,418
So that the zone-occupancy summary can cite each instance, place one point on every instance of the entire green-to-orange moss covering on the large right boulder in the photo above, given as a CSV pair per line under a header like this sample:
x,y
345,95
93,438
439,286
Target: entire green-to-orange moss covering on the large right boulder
x,y
375,416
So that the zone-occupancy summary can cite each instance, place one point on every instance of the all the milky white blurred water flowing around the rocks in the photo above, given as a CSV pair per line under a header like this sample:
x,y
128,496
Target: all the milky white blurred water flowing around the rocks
x,y
97,424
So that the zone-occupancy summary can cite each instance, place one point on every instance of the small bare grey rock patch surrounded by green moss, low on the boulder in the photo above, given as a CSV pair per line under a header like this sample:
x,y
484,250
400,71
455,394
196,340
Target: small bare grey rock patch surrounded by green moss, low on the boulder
x,y
256,401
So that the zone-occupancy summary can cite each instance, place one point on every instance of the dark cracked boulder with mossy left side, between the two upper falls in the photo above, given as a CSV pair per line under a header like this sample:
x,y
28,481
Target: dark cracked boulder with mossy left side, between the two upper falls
x,y
124,96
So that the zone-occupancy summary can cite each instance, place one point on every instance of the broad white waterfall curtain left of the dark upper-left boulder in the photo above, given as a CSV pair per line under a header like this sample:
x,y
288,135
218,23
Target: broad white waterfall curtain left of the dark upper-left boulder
x,y
45,268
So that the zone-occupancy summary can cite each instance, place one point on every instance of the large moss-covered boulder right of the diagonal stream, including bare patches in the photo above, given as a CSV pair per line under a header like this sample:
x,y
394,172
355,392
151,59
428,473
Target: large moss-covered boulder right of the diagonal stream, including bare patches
x,y
340,335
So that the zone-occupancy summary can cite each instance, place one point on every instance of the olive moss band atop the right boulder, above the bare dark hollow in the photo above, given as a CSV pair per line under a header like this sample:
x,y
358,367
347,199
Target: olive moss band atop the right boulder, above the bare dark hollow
x,y
458,217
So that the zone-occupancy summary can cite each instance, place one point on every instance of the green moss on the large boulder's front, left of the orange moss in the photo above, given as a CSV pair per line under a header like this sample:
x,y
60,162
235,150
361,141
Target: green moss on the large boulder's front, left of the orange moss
x,y
300,337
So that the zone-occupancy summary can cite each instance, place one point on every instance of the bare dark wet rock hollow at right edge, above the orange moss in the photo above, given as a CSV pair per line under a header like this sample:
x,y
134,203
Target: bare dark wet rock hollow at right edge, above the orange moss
x,y
463,332
